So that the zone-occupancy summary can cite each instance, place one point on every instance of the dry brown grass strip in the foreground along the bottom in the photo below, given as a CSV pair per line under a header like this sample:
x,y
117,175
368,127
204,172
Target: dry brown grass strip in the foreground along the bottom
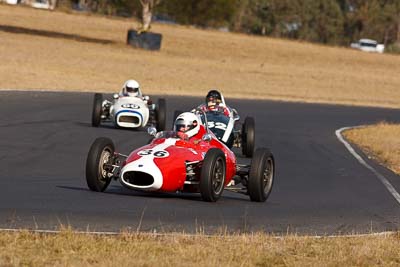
x,y
69,249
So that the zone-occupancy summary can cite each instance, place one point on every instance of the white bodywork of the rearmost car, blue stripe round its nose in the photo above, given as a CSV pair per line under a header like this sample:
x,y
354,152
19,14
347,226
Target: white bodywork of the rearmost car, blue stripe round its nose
x,y
129,112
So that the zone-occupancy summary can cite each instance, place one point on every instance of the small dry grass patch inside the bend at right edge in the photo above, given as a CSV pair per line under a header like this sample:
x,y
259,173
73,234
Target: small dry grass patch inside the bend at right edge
x,y
381,141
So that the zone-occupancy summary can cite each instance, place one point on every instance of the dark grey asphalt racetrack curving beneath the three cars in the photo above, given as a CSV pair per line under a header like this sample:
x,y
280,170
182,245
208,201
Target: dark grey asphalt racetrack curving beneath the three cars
x,y
320,188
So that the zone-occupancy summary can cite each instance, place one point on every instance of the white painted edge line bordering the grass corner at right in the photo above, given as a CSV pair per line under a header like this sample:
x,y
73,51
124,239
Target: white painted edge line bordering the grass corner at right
x,y
382,178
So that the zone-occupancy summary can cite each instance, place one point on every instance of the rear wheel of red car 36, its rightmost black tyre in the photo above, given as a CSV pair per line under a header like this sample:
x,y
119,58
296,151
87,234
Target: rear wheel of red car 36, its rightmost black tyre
x,y
261,176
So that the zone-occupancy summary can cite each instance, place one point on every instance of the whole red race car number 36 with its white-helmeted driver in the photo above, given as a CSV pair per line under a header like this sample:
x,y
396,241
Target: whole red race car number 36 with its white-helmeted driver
x,y
188,159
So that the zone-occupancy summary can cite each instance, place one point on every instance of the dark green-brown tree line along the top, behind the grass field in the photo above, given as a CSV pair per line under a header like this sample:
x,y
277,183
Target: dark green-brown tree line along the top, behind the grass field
x,y
337,22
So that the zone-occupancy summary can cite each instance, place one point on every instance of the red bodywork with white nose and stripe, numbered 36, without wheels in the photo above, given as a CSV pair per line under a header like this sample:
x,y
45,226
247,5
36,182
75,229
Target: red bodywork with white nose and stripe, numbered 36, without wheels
x,y
168,157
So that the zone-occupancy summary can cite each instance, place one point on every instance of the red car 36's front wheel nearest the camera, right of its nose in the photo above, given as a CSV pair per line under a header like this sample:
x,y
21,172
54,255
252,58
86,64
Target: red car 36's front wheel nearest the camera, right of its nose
x,y
212,177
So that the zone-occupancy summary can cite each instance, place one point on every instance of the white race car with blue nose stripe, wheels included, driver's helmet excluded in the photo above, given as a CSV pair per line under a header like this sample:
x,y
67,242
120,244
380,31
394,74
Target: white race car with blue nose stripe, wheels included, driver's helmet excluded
x,y
129,111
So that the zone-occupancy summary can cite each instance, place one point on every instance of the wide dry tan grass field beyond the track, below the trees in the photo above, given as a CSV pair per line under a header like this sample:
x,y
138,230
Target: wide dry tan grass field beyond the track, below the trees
x,y
190,63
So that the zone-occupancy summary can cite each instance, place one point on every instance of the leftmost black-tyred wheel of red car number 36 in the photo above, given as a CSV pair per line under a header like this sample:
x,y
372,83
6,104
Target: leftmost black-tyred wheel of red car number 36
x,y
99,156
